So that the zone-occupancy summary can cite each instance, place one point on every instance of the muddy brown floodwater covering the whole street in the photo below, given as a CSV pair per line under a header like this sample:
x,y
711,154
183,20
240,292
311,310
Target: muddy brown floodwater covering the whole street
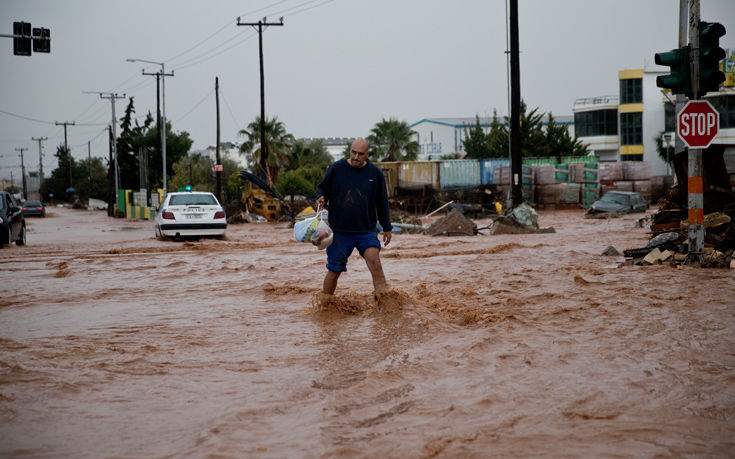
x,y
114,344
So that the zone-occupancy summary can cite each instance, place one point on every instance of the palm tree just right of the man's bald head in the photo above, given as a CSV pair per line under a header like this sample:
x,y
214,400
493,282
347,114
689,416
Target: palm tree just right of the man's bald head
x,y
392,140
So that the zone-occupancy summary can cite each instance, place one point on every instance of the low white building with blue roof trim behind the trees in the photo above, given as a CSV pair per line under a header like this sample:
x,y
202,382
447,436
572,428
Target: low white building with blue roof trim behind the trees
x,y
443,137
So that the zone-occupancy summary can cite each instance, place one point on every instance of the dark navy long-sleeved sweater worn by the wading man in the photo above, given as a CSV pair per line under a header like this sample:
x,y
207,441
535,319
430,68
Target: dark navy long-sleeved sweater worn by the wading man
x,y
355,197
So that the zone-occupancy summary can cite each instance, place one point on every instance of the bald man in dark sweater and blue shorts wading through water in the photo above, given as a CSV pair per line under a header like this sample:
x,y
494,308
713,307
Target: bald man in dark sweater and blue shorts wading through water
x,y
355,191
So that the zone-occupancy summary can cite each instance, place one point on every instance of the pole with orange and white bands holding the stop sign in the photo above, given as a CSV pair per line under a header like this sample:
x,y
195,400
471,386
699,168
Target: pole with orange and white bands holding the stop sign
x,y
695,188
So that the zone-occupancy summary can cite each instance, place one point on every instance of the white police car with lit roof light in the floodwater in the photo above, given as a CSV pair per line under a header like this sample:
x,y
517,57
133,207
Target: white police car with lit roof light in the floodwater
x,y
190,213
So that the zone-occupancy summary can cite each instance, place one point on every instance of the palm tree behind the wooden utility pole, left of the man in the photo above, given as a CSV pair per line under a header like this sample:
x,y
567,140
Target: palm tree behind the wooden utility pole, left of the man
x,y
277,143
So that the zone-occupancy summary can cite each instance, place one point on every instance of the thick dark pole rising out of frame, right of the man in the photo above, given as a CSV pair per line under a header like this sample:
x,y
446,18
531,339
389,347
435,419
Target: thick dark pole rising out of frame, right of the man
x,y
516,158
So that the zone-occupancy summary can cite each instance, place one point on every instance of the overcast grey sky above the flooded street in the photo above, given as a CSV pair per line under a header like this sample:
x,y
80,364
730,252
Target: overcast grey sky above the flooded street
x,y
334,69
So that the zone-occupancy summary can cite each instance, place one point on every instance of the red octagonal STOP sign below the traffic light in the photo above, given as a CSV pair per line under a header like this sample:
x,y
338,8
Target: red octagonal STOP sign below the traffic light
x,y
698,124
